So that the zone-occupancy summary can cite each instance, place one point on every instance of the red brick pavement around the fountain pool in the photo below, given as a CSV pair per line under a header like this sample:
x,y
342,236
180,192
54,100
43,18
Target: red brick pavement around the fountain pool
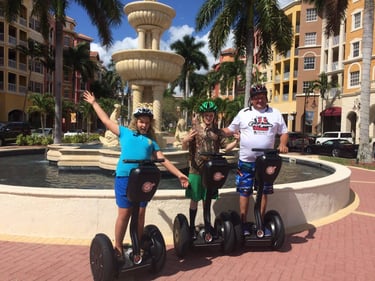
x,y
343,249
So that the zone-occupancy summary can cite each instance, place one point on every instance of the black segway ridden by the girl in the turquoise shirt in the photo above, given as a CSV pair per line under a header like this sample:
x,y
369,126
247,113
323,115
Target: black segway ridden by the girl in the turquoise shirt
x,y
143,182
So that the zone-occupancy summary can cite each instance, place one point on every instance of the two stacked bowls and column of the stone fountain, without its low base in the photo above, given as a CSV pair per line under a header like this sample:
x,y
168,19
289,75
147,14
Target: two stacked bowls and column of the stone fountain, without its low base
x,y
147,69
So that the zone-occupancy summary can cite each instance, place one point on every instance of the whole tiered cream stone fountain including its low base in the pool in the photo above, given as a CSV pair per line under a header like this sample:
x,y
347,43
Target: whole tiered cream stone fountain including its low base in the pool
x,y
148,71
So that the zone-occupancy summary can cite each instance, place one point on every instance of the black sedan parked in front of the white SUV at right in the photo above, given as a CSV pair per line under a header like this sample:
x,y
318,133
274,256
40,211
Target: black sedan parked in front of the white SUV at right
x,y
335,148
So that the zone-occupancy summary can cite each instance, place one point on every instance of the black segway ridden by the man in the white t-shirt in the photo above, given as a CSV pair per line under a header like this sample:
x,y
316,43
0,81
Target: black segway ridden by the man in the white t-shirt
x,y
267,168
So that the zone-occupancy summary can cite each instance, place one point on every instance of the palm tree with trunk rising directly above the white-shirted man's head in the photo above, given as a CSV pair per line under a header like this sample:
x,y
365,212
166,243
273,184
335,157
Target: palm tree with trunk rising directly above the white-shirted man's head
x,y
243,18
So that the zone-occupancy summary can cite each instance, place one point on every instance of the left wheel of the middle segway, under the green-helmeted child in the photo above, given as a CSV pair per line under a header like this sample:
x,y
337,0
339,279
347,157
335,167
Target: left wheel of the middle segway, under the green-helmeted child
x,y
181,235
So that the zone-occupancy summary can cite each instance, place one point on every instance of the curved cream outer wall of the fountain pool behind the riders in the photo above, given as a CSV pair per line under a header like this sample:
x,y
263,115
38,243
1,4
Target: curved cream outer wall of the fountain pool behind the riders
x,y
80,214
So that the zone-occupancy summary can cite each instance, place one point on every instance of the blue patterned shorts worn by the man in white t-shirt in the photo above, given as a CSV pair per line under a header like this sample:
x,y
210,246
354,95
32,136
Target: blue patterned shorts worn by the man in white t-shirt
x,y
245,179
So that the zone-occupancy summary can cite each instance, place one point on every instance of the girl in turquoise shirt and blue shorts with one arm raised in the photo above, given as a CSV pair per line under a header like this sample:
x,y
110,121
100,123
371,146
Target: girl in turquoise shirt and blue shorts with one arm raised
x,y
136,142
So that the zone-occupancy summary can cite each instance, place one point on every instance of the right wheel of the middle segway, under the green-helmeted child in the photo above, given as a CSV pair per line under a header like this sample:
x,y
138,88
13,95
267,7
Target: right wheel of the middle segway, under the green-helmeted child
x,y
224,228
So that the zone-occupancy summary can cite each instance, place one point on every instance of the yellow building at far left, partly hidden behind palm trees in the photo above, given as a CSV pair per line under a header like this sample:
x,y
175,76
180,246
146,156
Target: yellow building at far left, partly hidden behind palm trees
x,y
18,72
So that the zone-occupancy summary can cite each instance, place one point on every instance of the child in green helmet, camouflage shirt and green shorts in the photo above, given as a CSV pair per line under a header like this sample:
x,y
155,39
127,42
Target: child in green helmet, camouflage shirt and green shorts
x,y
203,137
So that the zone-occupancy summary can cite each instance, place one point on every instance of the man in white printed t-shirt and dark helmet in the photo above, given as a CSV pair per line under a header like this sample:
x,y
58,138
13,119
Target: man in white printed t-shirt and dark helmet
x,y
258,125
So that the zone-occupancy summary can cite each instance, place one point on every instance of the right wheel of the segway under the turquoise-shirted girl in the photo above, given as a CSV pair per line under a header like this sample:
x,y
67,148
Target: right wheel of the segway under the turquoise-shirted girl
x,y
154,240
